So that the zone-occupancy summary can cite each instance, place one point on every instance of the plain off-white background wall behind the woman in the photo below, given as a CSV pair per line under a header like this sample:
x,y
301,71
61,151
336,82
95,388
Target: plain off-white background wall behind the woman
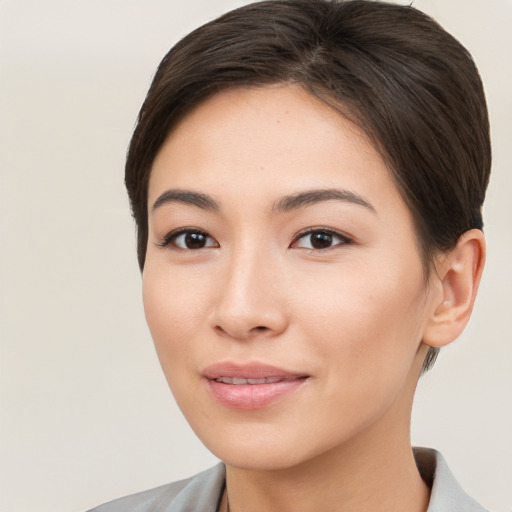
x,y
86,415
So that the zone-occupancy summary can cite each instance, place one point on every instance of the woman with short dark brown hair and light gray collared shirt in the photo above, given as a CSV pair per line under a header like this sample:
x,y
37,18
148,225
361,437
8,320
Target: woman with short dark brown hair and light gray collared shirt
x,y
307,180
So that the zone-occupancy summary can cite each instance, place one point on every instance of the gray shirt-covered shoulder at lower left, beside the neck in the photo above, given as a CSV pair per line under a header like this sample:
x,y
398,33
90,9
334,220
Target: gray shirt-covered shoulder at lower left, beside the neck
x,y
200,492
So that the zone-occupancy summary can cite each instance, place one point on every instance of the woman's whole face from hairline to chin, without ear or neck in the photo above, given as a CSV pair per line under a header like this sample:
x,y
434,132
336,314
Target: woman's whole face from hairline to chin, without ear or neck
x,y
283,284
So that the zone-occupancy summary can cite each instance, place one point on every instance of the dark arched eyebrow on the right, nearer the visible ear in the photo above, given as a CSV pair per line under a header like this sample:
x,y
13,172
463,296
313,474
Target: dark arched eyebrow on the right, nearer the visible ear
x,y
311,197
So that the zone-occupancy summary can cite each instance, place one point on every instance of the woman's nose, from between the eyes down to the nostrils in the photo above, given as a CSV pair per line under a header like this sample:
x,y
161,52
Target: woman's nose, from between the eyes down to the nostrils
x,y
250,302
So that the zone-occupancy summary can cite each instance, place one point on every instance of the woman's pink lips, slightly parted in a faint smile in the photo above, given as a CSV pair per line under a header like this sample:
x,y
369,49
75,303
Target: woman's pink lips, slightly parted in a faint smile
x,y
251,386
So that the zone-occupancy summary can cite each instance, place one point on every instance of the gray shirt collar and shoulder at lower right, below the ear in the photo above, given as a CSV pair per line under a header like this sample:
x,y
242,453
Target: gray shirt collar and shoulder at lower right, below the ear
x,y
446,493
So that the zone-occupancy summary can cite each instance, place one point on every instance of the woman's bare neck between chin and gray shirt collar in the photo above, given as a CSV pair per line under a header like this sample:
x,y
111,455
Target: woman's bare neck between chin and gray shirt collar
x,y
381,483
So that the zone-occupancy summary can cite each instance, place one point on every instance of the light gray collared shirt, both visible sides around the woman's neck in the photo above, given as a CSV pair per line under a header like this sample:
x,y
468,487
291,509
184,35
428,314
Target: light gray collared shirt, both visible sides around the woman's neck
x,y
202,492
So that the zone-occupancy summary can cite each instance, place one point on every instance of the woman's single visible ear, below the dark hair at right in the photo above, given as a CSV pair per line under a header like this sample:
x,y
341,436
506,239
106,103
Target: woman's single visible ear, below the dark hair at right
x,y
457,279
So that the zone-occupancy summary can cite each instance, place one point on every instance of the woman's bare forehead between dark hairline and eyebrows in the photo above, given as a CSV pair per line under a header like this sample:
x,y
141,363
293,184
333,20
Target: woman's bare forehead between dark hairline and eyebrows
x,y
269,139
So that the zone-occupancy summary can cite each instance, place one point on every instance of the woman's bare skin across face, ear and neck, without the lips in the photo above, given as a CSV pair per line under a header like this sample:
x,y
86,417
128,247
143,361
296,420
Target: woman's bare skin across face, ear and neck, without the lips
x,y
352,316
